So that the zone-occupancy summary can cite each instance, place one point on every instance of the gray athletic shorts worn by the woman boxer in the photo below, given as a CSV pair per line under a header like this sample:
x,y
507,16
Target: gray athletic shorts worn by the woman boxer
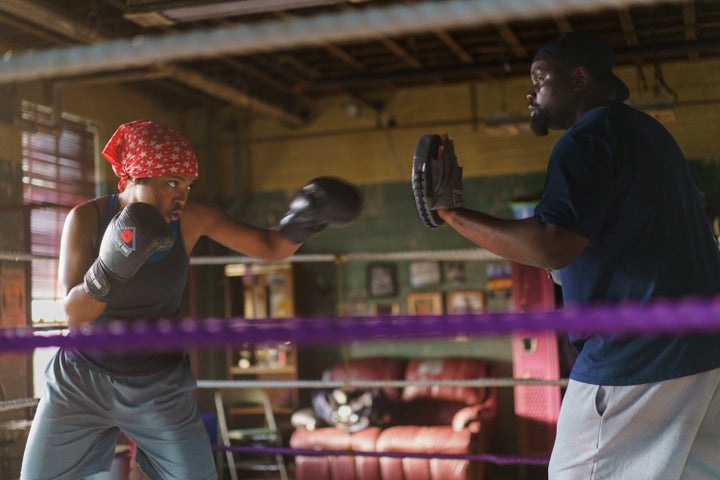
x,y
82,412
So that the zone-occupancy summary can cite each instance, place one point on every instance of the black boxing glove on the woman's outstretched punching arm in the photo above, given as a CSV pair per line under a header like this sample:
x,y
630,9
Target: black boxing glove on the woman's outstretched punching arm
x,y
324,201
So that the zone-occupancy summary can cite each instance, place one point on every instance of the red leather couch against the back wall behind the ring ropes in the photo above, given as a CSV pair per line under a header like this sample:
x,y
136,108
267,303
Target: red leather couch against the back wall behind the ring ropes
x,y
424,419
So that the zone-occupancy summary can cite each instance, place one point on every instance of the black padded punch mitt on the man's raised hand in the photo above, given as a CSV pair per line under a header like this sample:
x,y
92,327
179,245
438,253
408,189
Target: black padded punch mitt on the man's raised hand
x,y
436,178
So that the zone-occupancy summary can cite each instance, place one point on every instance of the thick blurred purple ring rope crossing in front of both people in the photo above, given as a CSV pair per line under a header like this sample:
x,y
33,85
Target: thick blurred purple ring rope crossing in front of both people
x,y
689,315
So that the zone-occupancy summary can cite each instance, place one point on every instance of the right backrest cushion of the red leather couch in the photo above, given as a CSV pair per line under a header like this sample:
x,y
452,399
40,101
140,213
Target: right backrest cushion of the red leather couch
x,y
450,368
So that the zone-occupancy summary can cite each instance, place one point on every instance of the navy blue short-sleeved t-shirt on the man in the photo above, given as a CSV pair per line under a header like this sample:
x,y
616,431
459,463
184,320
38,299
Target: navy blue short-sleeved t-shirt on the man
x,y
618,178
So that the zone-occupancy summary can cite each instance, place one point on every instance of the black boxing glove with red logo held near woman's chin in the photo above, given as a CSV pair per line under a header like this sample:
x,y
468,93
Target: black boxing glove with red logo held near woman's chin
x,y
132,236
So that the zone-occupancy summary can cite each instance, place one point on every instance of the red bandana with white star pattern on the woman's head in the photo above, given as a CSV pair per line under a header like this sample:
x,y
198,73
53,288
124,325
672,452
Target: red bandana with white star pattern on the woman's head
x,y
144,149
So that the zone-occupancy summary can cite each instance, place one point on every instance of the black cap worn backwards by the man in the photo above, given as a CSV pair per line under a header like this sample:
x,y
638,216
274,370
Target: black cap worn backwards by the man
x,y
587,50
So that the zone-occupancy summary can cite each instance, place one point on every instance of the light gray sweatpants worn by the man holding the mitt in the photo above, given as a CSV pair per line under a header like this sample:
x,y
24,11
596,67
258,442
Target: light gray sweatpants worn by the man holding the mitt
x,y
658,431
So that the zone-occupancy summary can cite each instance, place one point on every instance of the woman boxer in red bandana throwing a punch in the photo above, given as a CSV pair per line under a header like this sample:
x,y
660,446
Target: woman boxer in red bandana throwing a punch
x,y
125,257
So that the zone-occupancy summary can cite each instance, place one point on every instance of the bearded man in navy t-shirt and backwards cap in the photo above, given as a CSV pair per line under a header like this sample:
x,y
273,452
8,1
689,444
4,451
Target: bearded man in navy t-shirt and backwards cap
x,y
620,219
